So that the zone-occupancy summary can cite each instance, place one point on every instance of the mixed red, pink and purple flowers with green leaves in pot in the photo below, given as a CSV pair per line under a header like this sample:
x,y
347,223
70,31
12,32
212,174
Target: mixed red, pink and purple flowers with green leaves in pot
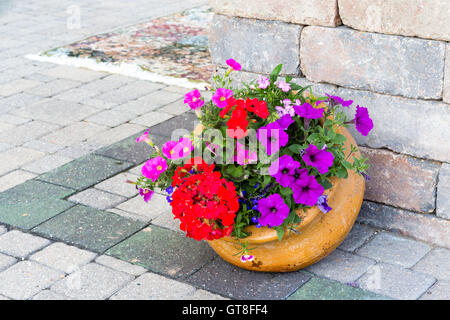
x,y
282,146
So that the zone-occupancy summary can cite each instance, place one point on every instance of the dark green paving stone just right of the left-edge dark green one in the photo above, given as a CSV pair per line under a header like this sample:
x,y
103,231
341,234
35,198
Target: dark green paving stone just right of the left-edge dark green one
x,y
89,228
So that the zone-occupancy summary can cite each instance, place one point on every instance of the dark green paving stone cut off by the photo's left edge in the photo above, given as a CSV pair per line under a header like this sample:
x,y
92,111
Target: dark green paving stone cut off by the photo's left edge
x,y
27,214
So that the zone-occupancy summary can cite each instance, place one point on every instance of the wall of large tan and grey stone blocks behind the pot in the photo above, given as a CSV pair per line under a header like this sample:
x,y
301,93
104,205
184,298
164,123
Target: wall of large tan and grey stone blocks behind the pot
x,y
391,56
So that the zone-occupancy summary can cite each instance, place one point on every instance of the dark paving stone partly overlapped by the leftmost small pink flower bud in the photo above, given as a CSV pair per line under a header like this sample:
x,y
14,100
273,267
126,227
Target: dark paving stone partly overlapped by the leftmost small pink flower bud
x,y
131,151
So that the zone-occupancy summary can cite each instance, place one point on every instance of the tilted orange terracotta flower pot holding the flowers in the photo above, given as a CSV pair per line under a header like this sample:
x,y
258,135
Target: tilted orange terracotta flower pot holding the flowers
x,y
318,233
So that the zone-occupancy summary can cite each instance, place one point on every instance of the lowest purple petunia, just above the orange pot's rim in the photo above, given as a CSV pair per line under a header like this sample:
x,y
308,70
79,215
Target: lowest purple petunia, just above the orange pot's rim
x,y
273,210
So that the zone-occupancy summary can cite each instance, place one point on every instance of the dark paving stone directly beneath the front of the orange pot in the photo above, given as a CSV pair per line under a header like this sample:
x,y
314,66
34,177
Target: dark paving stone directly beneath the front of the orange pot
x,y
230,281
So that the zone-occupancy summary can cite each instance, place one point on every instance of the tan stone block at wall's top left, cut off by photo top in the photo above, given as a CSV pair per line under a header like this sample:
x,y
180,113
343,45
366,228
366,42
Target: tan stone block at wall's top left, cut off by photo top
x,y
308,12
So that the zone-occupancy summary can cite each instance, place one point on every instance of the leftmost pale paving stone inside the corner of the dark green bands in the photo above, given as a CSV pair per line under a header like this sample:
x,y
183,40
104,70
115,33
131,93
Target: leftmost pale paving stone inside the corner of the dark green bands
x,y
97,199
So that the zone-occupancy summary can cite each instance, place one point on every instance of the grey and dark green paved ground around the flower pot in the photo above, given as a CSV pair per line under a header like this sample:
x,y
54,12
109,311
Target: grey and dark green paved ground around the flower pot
x,y
71,229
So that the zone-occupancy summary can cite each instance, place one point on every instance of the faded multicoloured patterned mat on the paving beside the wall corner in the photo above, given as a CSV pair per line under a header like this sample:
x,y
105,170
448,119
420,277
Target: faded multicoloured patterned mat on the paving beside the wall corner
x,y
175,46
